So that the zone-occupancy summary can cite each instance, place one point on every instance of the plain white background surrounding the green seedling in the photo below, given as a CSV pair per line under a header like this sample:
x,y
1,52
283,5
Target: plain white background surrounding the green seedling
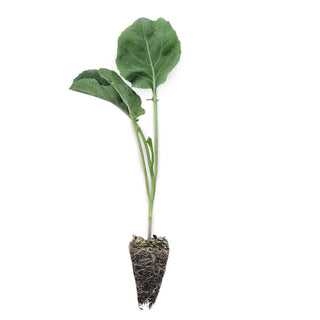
x,y
239,178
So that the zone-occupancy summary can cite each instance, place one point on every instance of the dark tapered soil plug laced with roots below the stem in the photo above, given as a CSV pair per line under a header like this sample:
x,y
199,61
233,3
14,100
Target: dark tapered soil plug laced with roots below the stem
x,y
149,260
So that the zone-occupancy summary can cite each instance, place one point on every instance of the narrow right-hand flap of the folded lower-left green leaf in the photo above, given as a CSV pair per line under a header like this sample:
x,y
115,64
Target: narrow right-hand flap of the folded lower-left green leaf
x,y
129,97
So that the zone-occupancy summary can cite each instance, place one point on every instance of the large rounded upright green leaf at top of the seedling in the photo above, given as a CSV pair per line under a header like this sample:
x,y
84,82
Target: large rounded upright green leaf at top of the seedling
x,y
147,52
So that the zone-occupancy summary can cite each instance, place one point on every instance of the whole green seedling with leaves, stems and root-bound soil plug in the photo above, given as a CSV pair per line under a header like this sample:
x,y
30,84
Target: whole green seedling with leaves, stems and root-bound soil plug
x,y
147,51
